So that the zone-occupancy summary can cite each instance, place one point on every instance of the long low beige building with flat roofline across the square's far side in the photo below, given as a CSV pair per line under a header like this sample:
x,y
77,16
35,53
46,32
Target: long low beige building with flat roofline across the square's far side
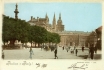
x,y
74,38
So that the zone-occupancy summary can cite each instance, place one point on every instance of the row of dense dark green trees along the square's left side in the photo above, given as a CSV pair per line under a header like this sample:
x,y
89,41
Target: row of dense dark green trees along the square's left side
x,y
22,31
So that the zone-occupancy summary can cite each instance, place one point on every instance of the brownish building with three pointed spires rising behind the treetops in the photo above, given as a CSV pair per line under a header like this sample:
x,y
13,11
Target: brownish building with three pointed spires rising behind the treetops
x,y
44,22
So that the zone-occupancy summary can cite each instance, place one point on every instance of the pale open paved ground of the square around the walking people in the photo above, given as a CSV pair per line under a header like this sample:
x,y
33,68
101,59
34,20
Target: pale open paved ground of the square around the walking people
x,y
42,54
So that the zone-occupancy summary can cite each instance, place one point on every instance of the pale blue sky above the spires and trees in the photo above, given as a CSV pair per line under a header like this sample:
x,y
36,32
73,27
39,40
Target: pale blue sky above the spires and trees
x,y
75,16
